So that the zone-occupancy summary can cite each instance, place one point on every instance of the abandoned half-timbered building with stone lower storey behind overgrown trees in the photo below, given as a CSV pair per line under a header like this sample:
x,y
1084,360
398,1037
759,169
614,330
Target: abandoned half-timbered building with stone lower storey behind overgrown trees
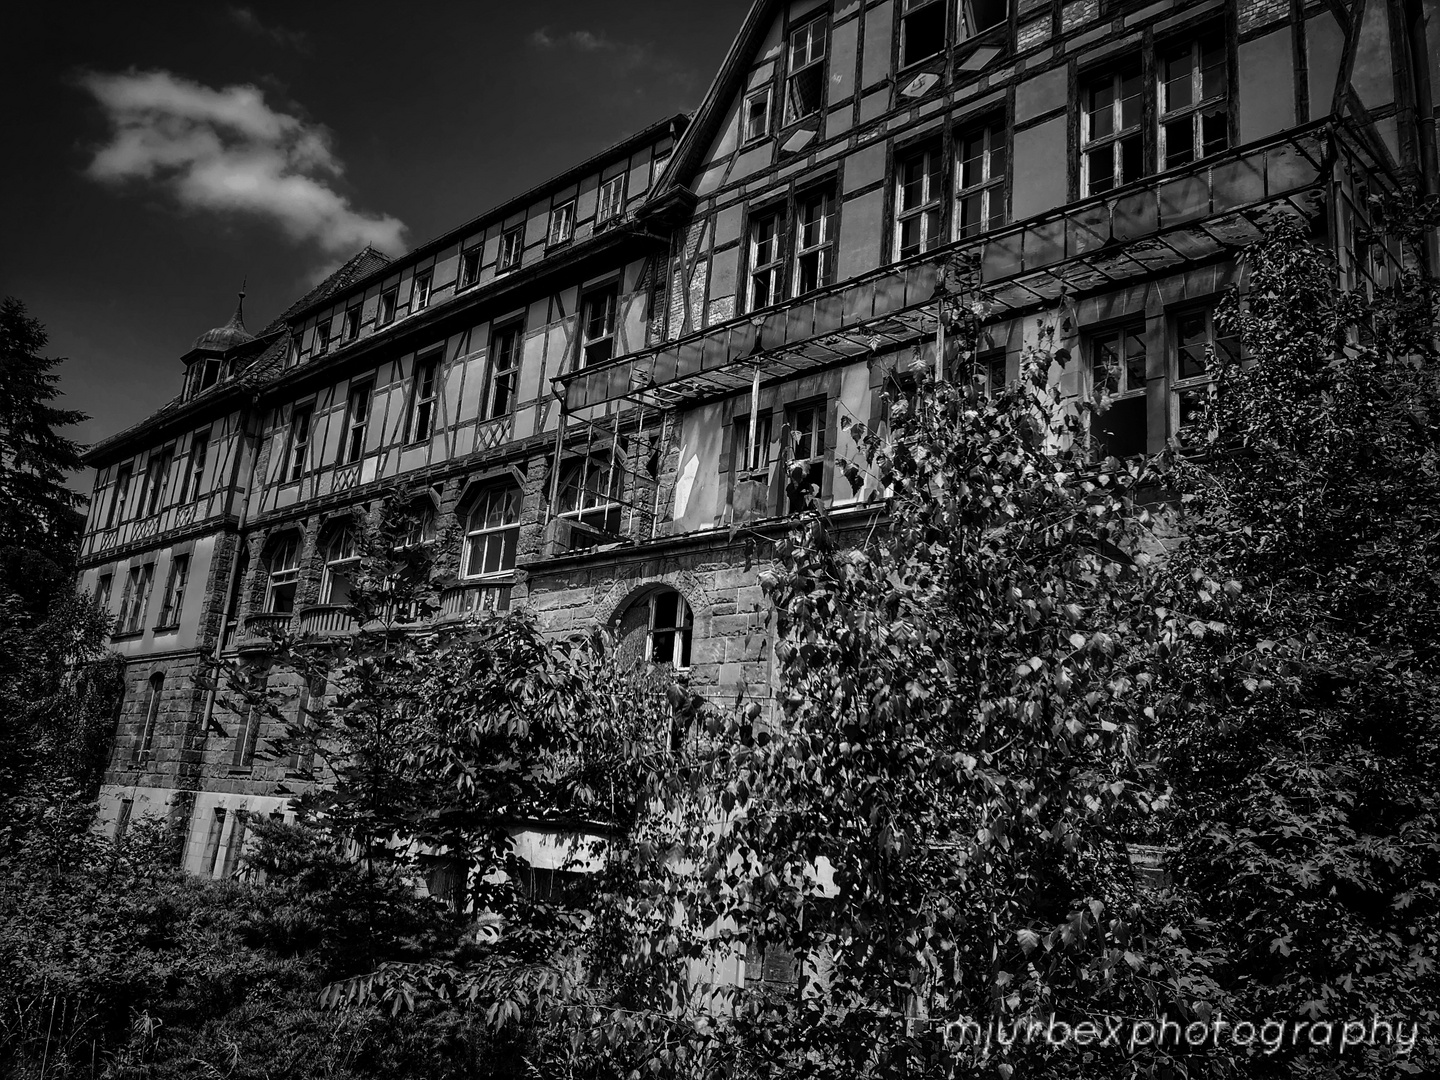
x,y
585,388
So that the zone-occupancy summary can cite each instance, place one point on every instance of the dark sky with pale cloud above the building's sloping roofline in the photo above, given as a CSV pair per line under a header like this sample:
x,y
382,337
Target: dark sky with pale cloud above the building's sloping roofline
x,y
158,155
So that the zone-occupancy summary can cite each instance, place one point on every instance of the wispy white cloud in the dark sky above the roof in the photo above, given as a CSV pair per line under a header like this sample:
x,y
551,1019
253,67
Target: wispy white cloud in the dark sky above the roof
x,y
228,152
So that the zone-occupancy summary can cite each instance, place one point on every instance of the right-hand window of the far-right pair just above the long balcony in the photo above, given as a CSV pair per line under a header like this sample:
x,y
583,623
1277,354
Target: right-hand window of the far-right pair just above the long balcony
x,y
1194,102
